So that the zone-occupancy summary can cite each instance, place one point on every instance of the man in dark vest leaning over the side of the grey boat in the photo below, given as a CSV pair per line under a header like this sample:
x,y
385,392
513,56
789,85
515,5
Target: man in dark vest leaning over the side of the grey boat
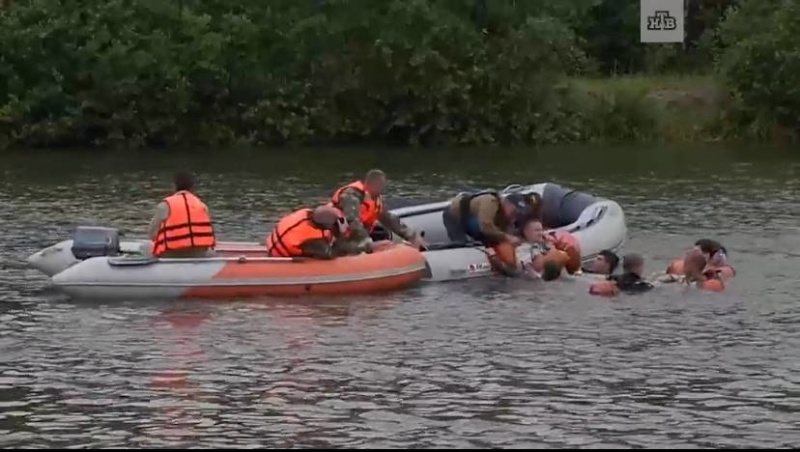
x,y
489,218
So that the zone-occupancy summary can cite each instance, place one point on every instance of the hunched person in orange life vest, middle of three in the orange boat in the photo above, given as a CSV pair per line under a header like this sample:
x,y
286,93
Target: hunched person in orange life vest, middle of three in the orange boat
x,y
310,233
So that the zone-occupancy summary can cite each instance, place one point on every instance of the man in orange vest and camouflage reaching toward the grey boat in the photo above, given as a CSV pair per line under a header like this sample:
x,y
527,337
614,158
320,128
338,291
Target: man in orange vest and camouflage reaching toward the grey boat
x,y
362,205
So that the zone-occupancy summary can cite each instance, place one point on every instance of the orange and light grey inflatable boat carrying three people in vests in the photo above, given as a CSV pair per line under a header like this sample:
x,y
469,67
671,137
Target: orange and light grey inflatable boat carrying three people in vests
x,y
250,274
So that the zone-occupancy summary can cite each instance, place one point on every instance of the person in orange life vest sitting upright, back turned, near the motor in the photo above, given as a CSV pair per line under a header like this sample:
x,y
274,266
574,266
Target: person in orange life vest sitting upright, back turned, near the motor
x,y
181,225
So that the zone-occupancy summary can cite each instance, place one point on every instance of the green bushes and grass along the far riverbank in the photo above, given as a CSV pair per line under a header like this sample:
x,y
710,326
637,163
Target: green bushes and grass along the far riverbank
x,y
215,74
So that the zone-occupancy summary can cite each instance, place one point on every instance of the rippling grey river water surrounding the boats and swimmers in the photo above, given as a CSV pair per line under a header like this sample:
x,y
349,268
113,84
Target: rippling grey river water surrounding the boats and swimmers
x,y
493,363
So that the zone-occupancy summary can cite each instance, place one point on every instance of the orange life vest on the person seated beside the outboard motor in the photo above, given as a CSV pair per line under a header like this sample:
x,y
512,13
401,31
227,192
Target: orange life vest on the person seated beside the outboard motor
x,y
187,225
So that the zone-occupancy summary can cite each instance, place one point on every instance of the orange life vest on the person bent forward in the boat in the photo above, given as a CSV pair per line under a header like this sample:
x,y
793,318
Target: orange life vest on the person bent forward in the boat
x,y
292,231
